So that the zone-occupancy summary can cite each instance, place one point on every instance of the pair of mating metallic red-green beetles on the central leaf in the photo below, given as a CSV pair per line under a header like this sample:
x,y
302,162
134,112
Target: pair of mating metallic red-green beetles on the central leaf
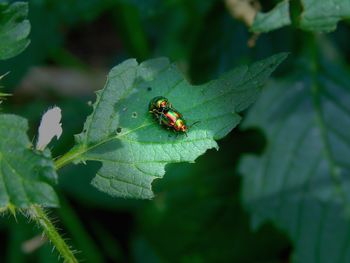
x,y
167,115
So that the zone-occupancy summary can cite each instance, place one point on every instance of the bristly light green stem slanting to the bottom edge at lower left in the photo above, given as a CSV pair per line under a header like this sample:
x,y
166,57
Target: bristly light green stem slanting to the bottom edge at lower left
x,y
40,217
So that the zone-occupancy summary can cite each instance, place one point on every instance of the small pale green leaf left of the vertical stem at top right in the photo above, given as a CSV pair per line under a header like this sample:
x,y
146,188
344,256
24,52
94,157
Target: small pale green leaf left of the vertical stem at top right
x,y
276,18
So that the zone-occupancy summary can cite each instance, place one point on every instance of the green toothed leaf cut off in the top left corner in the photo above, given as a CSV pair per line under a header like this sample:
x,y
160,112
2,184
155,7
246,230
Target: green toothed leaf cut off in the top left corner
x,y
14,29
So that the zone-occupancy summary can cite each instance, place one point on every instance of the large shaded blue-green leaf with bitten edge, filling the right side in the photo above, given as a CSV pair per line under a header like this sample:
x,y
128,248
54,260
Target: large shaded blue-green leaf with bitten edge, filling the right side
x,y
301,182
